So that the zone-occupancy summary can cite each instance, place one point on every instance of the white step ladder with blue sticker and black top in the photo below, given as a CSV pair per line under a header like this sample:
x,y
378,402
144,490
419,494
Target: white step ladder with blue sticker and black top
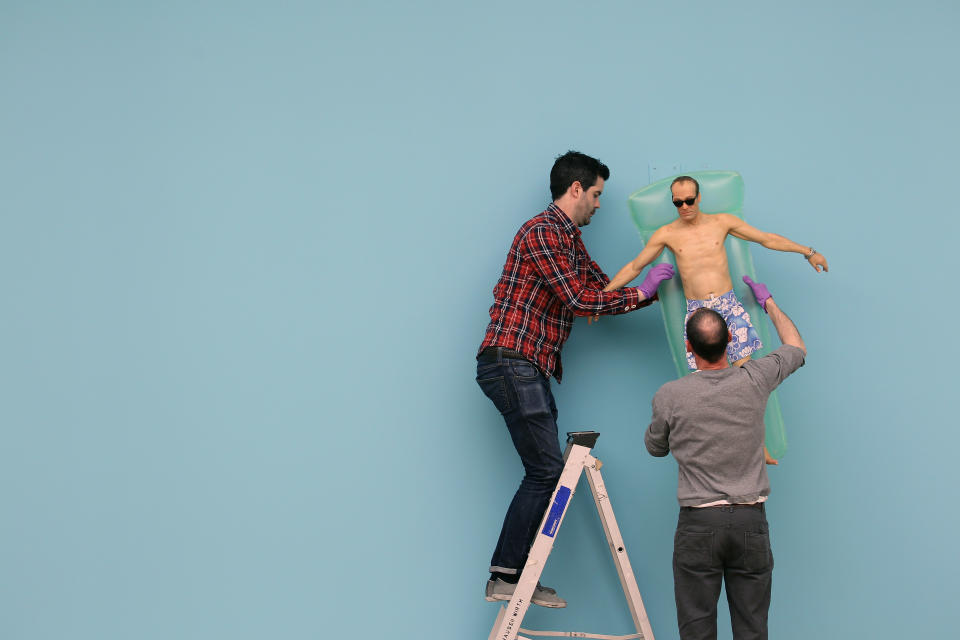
x,y
578,459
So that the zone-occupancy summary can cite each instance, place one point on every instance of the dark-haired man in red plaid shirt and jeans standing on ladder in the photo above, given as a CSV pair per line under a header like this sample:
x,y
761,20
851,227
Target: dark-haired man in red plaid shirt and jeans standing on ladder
x,y
548,279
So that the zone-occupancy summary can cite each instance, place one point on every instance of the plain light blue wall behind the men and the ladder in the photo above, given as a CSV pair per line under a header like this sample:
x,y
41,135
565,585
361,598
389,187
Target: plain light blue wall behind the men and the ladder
x,y
247,253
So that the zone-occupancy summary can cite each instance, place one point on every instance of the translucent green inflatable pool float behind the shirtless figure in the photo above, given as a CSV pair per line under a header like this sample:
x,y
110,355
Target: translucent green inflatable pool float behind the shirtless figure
x,y
721,192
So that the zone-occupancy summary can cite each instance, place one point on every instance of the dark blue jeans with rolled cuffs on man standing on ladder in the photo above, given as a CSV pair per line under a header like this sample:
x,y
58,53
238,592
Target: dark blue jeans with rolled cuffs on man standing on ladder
x,y
522,395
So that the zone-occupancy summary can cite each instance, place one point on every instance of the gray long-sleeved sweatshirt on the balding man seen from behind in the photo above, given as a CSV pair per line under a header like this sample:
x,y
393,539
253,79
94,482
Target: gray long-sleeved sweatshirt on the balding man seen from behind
x,y
712,422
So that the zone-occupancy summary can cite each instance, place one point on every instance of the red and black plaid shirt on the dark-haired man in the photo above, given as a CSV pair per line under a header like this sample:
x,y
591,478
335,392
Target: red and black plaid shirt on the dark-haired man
x,y
547,280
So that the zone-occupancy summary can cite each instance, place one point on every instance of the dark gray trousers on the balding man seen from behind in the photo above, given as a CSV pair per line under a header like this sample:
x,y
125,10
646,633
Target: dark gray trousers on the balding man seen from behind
x,y
715,545
